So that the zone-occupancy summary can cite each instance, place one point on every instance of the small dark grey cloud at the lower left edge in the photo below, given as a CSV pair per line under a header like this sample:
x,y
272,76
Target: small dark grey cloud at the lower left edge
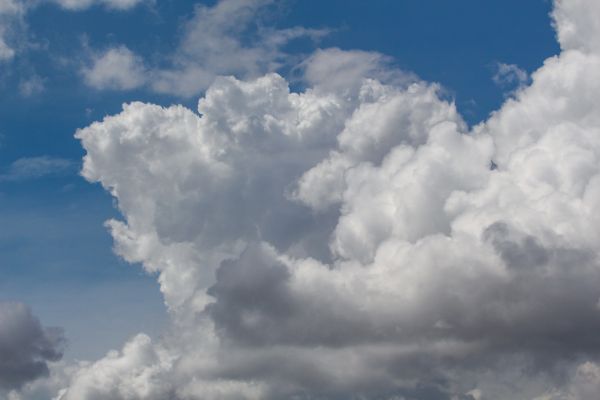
x,y
26,347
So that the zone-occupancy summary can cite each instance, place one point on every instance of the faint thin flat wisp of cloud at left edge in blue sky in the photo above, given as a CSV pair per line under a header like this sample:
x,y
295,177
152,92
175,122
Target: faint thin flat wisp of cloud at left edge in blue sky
x,y
27,168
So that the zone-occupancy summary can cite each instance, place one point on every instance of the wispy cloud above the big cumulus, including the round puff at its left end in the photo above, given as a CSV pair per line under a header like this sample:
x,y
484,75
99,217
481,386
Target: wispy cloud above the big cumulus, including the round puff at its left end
x,y
224,39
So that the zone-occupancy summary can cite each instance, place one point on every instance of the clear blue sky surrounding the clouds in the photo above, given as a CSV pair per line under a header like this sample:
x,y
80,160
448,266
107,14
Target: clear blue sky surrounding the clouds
x,y
53,235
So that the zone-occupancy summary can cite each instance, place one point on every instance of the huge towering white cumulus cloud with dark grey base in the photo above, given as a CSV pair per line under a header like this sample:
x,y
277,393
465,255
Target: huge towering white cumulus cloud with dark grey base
x,y
358,241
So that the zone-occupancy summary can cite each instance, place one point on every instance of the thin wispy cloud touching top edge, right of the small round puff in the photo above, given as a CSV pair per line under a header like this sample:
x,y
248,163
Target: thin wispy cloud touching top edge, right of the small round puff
x,y
220,40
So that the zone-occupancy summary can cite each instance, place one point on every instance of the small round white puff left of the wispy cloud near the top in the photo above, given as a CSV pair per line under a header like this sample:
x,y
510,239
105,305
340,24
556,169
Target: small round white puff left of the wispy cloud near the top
x,y
116,68
